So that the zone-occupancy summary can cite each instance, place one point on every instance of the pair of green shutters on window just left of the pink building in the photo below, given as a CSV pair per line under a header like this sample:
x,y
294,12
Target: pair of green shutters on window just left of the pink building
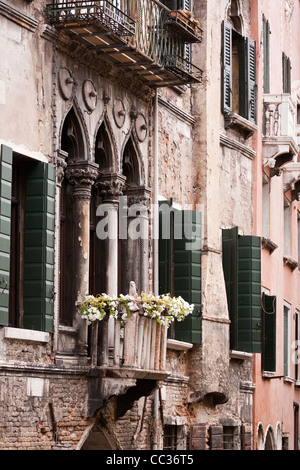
x,y
242,273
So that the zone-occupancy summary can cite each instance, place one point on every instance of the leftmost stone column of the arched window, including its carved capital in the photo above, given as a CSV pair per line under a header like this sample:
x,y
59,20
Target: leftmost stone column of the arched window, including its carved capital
x,y
81,176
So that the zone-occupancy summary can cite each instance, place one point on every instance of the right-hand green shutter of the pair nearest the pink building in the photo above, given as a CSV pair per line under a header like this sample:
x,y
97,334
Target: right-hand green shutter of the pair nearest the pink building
x,y
249,294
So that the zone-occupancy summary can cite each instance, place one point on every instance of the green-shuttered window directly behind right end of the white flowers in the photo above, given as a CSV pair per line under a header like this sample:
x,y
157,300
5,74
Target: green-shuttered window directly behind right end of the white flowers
x,y
180,264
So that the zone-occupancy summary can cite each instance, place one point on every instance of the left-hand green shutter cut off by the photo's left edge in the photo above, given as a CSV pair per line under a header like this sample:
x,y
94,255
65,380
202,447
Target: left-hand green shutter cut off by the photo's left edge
x,y
5,227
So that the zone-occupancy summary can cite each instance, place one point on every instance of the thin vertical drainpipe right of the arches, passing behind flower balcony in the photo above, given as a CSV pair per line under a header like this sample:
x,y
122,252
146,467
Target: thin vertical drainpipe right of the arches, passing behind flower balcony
x,y
155,241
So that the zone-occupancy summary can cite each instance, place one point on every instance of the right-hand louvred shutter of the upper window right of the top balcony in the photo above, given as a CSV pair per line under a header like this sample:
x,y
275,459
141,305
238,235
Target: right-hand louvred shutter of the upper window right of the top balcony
x,y
251,80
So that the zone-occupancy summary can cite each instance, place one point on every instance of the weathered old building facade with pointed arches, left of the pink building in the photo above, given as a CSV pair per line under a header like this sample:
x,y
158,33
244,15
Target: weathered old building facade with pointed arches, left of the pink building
x,y
119,119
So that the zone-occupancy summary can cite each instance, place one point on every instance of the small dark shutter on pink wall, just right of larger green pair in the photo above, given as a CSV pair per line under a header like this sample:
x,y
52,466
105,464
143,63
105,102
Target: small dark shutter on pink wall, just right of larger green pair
x,y
269,332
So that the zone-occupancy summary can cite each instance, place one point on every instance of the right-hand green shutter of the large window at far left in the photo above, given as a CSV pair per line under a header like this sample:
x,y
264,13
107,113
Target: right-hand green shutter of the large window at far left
x,y
39,248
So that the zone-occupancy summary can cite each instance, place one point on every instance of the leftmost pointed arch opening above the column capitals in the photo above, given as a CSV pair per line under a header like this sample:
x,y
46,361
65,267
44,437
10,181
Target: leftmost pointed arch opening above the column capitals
x,y
73,136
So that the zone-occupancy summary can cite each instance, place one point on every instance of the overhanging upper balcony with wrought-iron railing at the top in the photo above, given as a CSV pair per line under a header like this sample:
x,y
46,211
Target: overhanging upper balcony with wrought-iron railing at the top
x,y
142,37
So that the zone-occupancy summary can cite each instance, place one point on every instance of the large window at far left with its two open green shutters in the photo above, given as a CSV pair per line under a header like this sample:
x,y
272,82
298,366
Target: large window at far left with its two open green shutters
x,y
26,241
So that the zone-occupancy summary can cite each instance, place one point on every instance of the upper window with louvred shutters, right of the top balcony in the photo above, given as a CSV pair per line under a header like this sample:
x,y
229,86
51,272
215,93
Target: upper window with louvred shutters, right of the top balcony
x,y
239,74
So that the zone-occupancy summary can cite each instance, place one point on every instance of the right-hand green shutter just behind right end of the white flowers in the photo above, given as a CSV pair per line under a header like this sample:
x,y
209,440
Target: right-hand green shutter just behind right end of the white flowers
x,y
187,273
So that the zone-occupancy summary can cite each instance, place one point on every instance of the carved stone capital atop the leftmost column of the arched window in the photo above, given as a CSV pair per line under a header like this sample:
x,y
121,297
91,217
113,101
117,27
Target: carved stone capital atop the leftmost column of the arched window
x,y
82,176
